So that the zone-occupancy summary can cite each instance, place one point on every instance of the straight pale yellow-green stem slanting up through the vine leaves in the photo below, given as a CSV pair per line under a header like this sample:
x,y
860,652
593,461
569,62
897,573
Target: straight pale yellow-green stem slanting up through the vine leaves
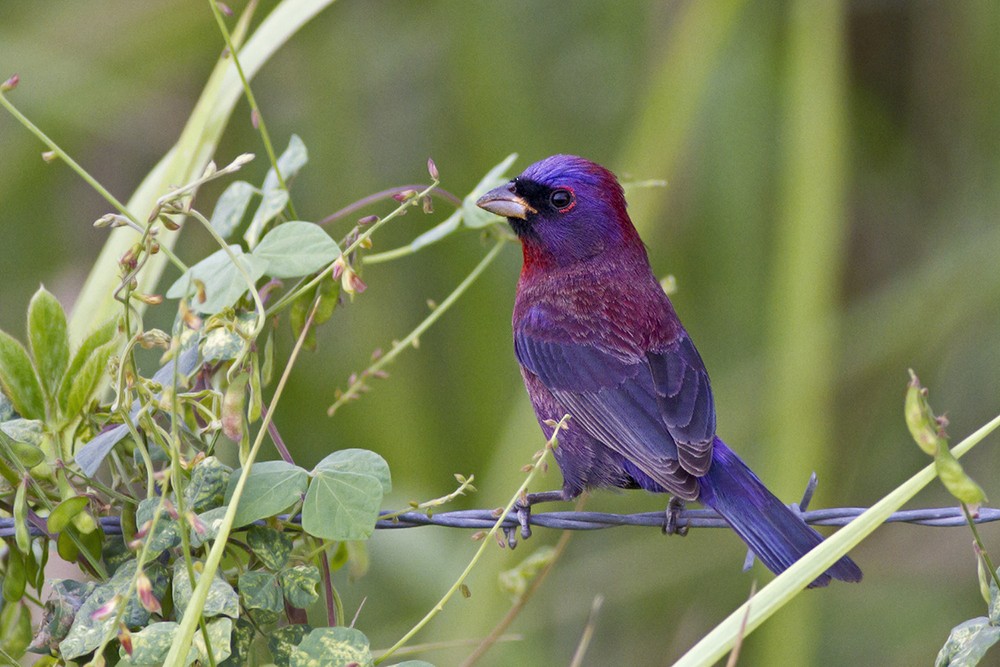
x,y
192,614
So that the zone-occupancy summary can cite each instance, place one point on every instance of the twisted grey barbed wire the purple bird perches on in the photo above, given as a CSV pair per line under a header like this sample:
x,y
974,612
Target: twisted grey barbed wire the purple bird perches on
x,y
477,519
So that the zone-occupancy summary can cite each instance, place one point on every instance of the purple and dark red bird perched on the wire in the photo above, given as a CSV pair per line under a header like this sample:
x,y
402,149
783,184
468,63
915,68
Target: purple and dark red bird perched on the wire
x,y
598,338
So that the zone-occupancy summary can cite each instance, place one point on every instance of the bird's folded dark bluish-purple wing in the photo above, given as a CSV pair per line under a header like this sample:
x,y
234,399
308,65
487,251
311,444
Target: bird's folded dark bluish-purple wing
x,y
656,409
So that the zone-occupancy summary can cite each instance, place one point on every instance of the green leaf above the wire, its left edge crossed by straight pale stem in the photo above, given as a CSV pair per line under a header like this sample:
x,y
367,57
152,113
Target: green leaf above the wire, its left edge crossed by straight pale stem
x,y
271,486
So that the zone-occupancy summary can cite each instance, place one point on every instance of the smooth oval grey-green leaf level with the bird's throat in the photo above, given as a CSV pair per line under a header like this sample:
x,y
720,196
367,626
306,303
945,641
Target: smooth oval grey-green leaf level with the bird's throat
x,y
296,248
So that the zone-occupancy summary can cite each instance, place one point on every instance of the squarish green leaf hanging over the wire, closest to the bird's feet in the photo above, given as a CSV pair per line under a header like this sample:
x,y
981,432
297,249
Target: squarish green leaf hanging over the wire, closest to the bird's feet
x,y
341,505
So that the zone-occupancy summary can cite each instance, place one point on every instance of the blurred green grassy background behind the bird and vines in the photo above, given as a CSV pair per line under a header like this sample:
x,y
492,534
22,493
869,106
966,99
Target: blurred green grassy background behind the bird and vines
x,y
830,217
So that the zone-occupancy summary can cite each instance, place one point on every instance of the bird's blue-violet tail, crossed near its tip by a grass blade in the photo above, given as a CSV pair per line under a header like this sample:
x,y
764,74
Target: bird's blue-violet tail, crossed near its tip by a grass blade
x,y
777,535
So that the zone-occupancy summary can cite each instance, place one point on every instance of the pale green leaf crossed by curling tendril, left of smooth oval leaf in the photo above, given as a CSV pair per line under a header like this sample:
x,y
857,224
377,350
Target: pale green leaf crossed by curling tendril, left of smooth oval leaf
x,y
223,281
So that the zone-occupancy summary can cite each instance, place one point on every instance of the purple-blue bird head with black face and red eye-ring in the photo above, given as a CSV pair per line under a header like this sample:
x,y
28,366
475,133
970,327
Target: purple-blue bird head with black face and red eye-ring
x,y
564,209
